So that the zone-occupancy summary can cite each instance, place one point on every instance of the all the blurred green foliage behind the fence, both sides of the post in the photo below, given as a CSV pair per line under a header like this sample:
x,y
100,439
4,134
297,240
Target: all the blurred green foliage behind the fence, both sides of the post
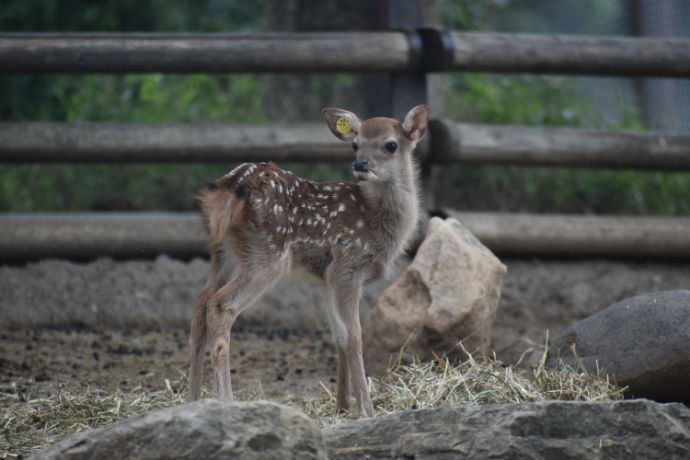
x,y
154,98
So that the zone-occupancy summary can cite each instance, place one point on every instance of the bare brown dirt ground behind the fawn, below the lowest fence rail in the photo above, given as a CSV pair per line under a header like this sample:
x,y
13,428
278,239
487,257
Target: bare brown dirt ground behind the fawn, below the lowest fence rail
x,y
38,360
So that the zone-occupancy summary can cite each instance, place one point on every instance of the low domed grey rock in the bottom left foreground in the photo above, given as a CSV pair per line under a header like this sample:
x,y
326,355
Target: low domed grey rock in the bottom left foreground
x,y
205,429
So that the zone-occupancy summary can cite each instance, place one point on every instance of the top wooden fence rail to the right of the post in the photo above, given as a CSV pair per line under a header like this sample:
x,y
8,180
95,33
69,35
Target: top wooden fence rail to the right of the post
x,y
569,54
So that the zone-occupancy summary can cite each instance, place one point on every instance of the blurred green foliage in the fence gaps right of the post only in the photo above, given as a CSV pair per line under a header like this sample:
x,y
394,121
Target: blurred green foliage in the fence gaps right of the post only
x,y
544,101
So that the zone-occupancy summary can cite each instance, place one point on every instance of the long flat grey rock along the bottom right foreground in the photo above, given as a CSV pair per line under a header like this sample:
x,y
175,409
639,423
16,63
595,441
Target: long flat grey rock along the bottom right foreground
x,y
544,430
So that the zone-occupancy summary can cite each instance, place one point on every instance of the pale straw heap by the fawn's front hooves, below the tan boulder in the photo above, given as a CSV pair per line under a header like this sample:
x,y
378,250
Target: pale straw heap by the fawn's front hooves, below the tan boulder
x,y
472,382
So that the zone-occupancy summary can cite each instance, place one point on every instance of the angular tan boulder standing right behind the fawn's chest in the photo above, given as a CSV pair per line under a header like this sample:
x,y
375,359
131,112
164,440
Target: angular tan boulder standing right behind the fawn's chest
x,y
449,293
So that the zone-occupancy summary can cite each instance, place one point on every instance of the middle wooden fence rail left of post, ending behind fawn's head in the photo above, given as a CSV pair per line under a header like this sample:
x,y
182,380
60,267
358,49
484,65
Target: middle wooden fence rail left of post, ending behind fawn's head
x,y
112,142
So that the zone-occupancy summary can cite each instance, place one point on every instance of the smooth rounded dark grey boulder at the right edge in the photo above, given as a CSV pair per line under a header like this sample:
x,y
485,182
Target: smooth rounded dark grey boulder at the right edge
x,y
642,342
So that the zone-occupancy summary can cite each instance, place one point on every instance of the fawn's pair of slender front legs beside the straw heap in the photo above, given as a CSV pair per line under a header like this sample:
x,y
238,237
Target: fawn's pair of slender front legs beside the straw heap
x,y
347,290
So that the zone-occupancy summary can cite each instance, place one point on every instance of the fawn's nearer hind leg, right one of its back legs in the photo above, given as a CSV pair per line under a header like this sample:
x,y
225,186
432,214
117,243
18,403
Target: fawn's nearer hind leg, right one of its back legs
x,y
246,286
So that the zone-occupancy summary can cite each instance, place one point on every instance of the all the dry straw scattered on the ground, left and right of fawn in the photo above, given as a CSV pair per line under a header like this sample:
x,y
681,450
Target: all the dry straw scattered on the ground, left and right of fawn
x,y
30,424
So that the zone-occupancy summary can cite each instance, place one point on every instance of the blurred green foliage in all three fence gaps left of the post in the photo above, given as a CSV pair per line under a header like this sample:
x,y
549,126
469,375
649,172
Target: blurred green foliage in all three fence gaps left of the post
x,y
150,98
